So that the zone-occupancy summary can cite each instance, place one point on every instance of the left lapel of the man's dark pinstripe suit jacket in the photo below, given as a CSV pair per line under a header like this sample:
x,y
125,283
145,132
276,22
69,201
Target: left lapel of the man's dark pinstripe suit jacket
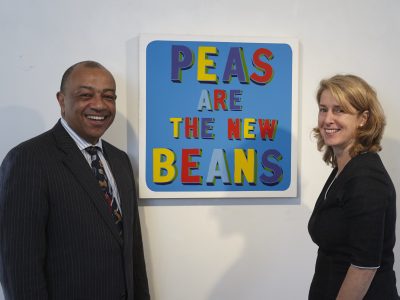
x,y
77,164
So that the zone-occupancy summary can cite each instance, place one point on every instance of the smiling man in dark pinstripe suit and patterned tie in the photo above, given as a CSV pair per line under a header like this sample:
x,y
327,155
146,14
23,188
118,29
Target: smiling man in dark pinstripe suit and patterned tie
x,y
62,235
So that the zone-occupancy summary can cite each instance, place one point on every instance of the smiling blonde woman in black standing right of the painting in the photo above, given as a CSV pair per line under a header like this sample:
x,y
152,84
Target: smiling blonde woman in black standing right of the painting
x,y
354,219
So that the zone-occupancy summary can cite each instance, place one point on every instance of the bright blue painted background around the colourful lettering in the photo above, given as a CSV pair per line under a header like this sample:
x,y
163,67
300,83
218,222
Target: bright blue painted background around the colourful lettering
x,y
166,99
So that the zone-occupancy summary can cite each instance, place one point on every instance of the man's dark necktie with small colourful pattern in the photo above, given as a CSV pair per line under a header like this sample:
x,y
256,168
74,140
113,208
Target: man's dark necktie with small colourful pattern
x,y
100,174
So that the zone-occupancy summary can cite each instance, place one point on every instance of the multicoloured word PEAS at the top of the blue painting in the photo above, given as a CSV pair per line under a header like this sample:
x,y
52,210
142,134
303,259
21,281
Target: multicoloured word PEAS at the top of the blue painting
x,y
183,57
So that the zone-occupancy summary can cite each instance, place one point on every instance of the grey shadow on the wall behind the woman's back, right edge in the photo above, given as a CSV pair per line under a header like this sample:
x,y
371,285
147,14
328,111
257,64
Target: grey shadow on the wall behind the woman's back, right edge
x,y
390,158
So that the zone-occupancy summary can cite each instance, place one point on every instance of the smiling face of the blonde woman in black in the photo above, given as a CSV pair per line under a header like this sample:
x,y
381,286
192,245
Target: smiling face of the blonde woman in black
x,y
337,127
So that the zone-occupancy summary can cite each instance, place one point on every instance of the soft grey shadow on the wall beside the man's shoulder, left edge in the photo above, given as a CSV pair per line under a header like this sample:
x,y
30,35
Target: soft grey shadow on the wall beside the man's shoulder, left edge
x,y
18,124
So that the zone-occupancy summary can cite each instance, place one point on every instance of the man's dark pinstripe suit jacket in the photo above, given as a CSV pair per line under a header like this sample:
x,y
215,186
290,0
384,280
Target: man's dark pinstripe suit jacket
x,y
57,236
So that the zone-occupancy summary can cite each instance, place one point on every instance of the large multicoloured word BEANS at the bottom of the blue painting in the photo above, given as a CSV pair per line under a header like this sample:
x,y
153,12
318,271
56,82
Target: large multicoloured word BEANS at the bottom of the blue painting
x,y
165,170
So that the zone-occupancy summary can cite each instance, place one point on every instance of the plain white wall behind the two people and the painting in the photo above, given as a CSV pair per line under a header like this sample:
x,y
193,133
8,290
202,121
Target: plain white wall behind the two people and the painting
x,y
205,249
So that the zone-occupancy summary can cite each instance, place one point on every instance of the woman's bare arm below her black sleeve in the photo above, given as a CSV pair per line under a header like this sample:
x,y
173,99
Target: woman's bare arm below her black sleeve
x,y
356,283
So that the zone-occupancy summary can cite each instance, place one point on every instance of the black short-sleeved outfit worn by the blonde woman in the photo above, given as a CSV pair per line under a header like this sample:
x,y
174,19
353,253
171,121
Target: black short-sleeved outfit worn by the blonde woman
x,y
354,222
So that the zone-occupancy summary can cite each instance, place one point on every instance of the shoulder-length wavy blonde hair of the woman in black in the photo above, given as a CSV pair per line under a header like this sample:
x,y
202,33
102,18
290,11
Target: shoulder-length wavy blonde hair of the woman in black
x,y
354,93
